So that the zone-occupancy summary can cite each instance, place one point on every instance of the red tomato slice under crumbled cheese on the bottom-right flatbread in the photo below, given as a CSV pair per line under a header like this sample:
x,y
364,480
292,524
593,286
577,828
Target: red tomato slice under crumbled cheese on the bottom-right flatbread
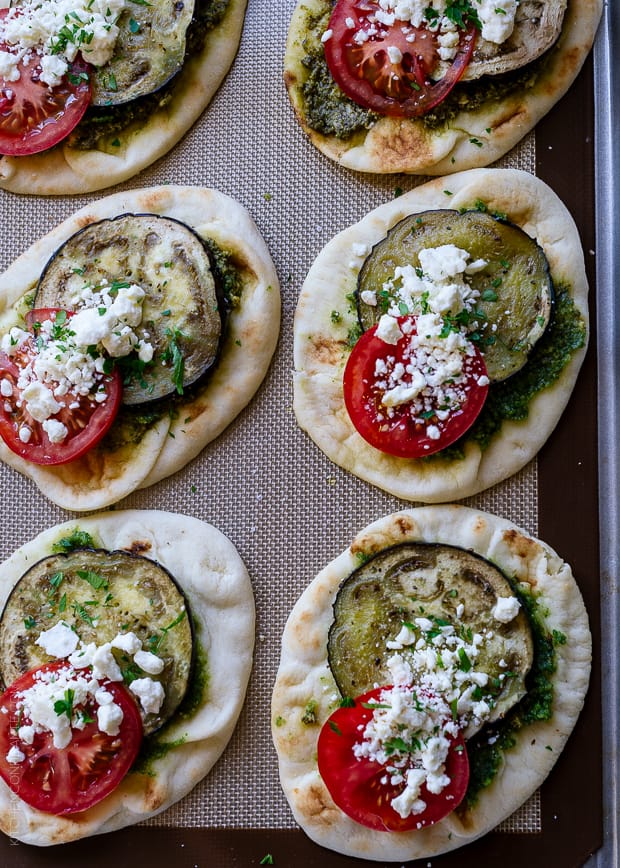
x,y
359,786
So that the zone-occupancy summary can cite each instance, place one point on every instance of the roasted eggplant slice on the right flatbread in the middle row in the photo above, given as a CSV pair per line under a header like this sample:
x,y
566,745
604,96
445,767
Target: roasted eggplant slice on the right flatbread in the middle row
x,y
515,287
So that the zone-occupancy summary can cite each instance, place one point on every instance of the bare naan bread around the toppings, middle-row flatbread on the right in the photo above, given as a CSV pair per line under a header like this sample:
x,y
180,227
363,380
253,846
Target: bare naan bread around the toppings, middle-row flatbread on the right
x,y
321,350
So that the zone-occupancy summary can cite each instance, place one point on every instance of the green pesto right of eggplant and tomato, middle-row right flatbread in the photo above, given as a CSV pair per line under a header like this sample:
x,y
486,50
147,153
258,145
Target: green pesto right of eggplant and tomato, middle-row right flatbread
x,y
509,400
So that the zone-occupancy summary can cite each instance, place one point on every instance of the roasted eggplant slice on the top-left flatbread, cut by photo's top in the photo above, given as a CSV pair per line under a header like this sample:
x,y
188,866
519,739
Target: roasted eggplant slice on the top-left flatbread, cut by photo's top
x,y
149,51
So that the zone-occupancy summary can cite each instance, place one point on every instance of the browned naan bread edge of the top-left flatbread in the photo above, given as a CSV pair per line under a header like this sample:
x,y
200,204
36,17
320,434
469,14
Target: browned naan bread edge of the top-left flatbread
x,y
65,170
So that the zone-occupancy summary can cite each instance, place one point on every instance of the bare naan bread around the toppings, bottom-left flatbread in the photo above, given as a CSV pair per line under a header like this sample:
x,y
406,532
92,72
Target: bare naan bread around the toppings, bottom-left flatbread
x,y
211,573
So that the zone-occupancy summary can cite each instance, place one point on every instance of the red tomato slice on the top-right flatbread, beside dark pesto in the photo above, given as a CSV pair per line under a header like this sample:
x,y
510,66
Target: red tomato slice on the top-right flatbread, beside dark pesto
x,y
398,87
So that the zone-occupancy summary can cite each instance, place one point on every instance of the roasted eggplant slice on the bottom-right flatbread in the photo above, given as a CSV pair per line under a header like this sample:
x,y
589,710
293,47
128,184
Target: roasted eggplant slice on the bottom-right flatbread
x,y
444,584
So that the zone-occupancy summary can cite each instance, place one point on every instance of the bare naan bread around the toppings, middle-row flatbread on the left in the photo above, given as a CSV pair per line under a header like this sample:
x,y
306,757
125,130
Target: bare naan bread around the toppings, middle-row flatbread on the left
x,y
116,467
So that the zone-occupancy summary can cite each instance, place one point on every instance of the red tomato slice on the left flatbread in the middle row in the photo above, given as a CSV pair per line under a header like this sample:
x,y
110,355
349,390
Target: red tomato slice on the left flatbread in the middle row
x,y
87,423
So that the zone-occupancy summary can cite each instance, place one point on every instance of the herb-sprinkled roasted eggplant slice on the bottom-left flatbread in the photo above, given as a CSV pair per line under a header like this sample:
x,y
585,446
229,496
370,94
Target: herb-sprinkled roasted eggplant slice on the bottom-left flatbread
x,y
100,594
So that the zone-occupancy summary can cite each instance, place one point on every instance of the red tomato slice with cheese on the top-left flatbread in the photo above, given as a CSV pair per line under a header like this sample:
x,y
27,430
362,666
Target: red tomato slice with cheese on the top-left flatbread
x,y
33,116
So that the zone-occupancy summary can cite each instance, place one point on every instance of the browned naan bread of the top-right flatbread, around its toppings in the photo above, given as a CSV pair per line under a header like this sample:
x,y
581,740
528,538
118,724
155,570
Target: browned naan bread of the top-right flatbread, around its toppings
x,y
471,136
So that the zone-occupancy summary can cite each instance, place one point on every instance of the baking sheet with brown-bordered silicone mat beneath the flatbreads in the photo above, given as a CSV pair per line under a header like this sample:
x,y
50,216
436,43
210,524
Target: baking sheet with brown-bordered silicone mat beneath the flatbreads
x,y
288,510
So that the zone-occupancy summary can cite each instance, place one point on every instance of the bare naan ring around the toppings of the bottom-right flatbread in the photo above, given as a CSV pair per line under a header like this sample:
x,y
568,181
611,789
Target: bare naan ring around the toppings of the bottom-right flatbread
x,y
304,674
